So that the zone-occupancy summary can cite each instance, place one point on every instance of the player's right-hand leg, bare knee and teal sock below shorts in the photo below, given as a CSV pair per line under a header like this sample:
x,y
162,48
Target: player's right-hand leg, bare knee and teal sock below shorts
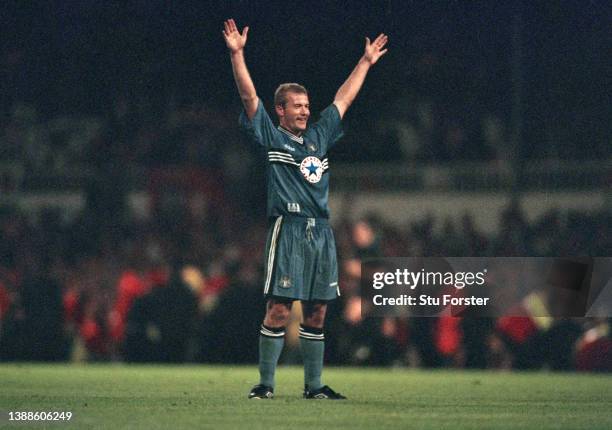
x,y
312,341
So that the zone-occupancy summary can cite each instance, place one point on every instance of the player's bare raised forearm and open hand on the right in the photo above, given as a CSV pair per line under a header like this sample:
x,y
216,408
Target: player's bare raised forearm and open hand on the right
x,y
350,88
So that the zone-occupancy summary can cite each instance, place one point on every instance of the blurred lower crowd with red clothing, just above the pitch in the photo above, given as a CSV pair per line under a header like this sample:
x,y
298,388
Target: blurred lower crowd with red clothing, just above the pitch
x,y
185,288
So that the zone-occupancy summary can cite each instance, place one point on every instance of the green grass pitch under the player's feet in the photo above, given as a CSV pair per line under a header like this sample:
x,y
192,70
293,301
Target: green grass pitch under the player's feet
x,y
160,397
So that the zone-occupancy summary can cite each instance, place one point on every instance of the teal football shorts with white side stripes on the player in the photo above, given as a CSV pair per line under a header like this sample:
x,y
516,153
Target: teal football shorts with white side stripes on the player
x,y
301,261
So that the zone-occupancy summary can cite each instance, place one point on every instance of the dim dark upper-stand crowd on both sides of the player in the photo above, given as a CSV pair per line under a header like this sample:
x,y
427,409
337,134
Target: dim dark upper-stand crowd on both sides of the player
x,y
137,133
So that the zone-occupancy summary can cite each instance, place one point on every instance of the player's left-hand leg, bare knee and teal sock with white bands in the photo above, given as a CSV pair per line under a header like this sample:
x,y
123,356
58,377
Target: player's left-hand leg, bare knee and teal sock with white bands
x,y
271,340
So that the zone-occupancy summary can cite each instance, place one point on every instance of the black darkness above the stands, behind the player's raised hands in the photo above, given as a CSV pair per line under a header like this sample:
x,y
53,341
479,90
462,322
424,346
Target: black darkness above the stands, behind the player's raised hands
x,y
77,56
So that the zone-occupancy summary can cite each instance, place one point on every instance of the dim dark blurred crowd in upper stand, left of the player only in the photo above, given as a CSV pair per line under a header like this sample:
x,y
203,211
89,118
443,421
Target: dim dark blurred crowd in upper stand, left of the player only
x,y
130,135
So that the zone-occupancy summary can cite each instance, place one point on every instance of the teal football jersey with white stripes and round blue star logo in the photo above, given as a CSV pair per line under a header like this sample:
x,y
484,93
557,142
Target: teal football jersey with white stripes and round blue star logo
x,y
298,167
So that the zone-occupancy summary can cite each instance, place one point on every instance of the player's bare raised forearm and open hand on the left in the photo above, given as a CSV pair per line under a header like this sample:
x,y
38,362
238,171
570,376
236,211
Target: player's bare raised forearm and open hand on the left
x,y
235,42
